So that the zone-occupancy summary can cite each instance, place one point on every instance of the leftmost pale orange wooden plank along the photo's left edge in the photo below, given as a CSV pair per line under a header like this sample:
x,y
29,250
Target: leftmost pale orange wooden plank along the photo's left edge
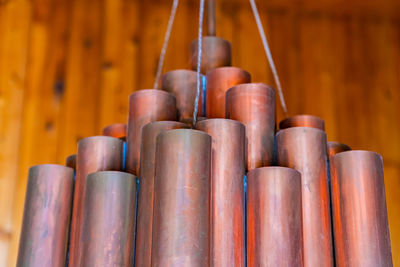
x,y
14,29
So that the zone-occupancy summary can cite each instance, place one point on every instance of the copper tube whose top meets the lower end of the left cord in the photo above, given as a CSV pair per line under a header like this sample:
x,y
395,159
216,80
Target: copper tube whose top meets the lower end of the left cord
x,y
146,106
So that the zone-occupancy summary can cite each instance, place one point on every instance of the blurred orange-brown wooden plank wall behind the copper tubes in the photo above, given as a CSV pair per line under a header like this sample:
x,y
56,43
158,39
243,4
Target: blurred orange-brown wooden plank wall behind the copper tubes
x,y
67,68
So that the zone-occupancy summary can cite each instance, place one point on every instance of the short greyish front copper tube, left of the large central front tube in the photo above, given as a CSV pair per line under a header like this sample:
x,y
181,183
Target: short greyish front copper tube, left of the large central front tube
x,y
108,224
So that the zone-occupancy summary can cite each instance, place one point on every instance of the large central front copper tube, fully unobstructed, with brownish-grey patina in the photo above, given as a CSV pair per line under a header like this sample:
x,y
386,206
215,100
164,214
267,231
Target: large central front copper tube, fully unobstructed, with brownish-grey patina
x,y
181,235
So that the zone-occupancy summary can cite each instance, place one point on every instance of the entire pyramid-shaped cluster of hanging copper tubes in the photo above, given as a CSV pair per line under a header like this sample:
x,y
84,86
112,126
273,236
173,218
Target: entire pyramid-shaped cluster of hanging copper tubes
x,y
192,208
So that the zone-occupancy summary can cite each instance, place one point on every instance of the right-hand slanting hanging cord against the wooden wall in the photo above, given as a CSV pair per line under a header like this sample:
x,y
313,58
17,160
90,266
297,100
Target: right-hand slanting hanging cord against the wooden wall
x,y
269,55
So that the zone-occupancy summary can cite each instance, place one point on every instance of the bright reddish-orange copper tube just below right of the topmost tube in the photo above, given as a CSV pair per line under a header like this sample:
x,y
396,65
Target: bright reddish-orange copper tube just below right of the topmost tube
x,y
219,80
